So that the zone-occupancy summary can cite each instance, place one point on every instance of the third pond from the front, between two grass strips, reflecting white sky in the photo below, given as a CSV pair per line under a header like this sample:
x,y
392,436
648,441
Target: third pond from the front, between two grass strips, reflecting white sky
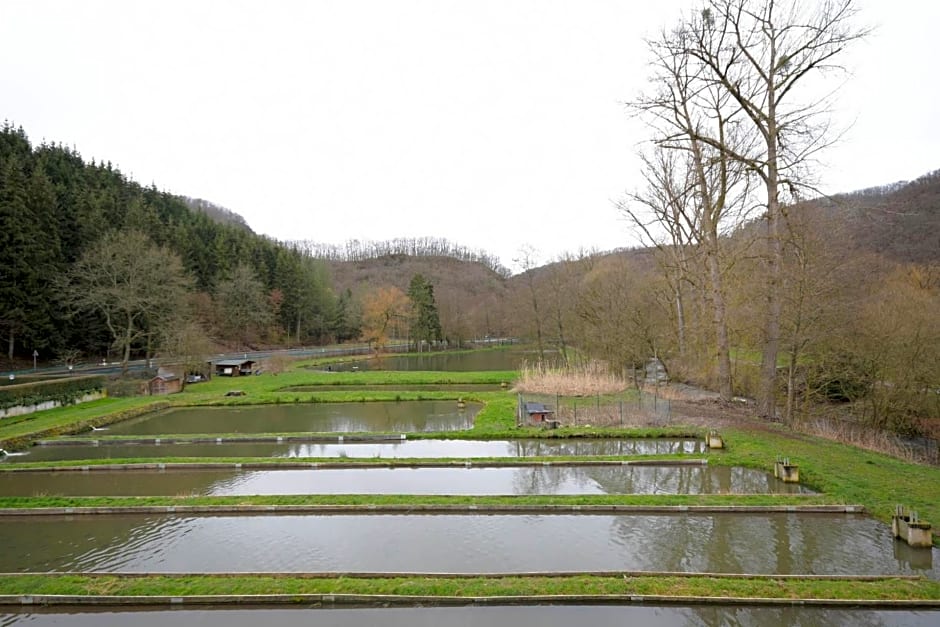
x,y
525,480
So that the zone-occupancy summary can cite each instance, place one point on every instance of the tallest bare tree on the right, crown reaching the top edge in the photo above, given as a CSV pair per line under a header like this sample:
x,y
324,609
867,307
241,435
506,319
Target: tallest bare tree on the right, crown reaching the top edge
x,y
760,54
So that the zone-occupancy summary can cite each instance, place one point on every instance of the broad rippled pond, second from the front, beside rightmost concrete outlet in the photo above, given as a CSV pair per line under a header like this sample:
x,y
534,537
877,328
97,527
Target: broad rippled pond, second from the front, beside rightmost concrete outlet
x,y
840,544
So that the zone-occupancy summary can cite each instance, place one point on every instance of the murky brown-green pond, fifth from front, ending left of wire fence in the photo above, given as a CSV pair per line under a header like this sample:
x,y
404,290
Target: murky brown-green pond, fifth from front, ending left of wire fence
x,y
378,417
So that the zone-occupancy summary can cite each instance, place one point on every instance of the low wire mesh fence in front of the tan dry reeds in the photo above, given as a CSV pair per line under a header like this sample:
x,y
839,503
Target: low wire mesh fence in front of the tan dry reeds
x,y
630,408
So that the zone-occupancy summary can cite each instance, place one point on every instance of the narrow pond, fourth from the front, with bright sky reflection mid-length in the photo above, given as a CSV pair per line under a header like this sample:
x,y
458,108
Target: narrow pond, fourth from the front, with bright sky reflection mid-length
x,y
66,449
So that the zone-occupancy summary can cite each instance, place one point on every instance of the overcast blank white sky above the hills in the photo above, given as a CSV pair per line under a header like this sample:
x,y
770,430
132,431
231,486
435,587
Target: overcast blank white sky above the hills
x,y
492,123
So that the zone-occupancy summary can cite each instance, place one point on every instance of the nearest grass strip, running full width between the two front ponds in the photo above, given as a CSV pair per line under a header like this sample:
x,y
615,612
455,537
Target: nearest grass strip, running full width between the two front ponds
x,y
887,589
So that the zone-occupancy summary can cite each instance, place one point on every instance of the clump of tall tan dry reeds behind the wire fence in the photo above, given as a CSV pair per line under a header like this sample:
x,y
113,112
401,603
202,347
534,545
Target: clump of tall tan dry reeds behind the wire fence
x,y
588,379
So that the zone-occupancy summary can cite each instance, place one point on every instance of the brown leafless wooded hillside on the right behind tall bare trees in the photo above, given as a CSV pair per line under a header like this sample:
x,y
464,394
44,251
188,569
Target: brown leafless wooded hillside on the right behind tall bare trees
x,y
861,292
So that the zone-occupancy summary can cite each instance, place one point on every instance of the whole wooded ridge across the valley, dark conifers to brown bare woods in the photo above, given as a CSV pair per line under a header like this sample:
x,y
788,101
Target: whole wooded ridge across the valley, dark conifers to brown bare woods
x,y
860,294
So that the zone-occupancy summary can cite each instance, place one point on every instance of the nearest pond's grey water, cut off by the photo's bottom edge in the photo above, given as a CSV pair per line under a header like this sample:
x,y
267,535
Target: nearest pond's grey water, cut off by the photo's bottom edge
x,y
470,616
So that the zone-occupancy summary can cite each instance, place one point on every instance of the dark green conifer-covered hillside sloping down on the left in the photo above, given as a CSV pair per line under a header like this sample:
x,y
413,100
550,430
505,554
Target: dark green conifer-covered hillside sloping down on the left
x,y
94,264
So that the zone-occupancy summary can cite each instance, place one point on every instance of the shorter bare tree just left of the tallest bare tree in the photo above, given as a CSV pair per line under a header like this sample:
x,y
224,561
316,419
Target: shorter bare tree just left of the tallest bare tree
x,y
694,190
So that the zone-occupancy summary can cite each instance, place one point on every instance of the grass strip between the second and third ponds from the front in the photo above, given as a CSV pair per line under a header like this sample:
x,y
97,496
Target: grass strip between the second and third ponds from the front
x,y
379,500
